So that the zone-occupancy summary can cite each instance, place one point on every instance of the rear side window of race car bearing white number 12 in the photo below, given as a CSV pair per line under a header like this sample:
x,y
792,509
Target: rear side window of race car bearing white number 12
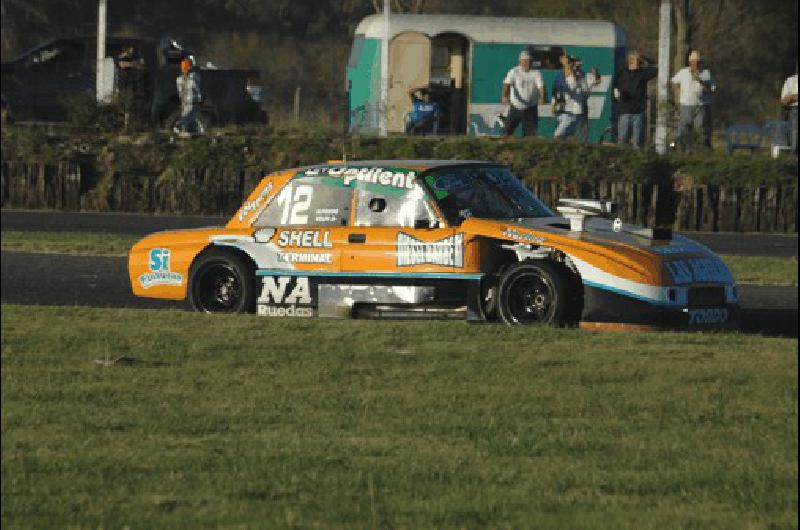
x,y
308,201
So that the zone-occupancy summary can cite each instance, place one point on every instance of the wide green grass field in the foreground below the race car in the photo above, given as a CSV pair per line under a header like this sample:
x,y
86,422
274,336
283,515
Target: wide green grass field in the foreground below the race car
x,y
249,422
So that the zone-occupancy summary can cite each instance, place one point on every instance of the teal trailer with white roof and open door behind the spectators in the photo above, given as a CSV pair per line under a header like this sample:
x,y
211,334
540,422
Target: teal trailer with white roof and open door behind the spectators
x,y
464,60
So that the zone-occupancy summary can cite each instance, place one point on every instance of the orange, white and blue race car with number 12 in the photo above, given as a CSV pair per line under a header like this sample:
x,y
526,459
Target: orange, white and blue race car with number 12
x,y
423,239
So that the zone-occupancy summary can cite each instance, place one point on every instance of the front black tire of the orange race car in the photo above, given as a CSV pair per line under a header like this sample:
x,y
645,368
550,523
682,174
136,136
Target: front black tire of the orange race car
x,y
539,292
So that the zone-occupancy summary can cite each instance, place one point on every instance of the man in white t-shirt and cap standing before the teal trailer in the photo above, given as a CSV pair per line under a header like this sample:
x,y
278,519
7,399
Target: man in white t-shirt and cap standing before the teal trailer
x,y
523,90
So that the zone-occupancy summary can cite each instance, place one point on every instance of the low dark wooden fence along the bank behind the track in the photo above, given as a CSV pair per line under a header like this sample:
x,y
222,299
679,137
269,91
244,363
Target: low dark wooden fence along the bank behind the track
x,y
208,191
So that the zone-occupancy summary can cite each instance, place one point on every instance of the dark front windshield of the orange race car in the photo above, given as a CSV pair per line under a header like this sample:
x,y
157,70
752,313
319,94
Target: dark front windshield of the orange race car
x,y
490,192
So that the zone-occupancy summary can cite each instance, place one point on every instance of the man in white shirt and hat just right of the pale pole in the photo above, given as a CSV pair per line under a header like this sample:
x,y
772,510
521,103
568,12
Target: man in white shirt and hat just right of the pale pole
x,y
695,87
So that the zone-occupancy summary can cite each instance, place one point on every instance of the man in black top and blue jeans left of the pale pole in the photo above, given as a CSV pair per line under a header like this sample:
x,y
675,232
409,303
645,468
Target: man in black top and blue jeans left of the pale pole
x,y
630,91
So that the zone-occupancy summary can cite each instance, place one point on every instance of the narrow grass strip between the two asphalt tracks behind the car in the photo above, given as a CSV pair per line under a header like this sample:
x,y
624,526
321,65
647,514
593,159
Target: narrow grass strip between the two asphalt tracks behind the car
x,y
746,269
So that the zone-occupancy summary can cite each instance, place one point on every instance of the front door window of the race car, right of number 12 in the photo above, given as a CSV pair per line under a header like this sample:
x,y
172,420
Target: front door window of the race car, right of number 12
x,y
406,209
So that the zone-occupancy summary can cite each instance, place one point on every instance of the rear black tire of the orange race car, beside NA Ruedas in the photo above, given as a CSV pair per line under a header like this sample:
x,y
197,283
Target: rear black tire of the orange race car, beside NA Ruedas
x,y
222,282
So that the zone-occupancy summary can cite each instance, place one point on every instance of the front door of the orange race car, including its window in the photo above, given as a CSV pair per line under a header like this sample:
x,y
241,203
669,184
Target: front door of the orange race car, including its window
x,y
398,233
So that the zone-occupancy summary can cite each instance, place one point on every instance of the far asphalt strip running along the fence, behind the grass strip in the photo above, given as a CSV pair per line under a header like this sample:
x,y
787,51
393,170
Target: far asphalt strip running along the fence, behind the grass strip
x,y
722,243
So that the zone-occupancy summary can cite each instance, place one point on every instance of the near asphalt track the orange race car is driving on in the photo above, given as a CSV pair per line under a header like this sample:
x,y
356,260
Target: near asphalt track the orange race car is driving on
x,y
54,279
